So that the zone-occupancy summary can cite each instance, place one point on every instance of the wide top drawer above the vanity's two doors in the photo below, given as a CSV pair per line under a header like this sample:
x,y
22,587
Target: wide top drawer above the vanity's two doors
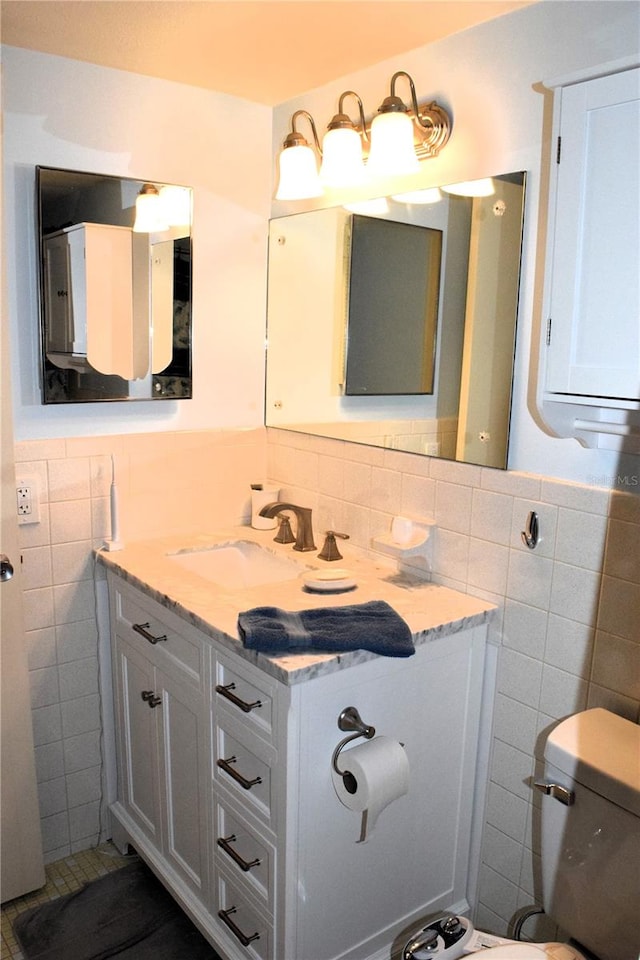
x,y
148,627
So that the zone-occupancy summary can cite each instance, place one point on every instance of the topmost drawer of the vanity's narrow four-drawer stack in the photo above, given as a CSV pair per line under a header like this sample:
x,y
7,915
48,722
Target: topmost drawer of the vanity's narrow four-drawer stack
x,y
246,696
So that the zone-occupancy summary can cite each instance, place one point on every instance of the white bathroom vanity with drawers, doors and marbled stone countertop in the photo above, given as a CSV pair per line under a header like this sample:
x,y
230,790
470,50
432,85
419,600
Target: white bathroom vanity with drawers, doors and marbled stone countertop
x,y
224,757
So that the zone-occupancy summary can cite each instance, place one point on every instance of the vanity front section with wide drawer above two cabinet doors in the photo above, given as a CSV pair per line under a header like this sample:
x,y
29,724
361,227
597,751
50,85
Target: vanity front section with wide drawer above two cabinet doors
x,y
161,735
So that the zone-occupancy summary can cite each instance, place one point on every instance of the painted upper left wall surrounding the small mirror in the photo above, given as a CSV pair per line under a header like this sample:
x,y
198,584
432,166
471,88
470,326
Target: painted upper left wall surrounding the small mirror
x,y
64,113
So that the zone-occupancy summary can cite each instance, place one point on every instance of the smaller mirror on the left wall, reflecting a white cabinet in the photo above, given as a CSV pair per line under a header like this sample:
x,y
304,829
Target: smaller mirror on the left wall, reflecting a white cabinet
x,y
115,292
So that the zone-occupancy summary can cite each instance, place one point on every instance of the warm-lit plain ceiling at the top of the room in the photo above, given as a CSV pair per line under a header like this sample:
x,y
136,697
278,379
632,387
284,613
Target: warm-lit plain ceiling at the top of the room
x,y
268,51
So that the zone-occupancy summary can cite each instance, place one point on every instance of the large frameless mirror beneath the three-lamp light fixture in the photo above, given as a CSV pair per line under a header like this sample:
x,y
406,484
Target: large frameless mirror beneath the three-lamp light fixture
x,y
432,309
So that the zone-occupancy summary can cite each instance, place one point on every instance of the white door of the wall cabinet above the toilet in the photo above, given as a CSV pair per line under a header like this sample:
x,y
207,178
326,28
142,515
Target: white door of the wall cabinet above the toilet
x,y
594,337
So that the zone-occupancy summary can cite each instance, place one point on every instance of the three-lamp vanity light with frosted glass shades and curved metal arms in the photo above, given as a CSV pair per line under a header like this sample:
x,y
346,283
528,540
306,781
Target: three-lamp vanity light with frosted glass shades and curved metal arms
x,y
395,141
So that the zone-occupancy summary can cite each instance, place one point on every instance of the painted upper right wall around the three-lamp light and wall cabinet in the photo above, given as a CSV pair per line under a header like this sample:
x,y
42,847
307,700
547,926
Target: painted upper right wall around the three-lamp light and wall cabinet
x,y
489,78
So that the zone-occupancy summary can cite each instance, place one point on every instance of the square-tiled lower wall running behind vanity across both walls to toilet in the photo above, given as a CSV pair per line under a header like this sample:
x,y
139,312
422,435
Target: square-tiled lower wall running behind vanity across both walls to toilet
x,y
568,611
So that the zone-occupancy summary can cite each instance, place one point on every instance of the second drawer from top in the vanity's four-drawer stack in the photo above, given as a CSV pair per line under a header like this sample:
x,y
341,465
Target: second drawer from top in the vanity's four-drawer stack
x,y
243,765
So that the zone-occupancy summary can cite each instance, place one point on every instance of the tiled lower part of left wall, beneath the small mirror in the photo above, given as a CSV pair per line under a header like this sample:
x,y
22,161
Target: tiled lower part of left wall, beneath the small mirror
x,y
58,578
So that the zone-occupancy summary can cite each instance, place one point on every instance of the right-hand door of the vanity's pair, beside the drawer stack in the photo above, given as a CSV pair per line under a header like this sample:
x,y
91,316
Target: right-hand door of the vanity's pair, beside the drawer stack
x,y
183,772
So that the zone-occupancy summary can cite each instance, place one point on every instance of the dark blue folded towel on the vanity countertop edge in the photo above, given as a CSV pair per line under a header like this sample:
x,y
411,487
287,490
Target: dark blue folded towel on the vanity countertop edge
x,y
373,626
